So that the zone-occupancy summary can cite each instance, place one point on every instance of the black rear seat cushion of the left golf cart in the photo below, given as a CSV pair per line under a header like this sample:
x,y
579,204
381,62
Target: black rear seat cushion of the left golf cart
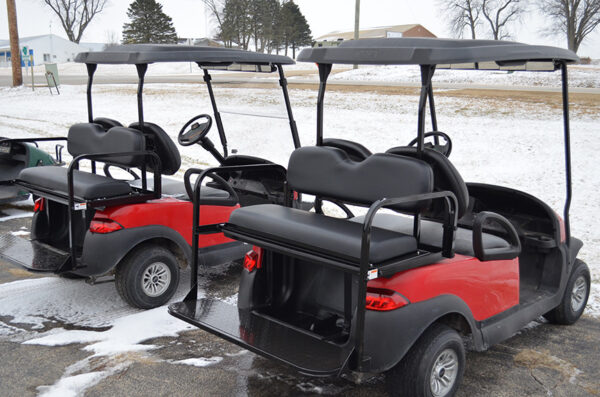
x,y
86,185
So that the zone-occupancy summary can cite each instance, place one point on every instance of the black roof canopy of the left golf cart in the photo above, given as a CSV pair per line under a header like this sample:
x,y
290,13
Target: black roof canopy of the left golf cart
x,y
150,53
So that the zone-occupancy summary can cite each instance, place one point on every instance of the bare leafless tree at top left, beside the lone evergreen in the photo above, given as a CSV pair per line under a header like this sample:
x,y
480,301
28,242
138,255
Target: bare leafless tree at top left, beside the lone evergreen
x,y
76,15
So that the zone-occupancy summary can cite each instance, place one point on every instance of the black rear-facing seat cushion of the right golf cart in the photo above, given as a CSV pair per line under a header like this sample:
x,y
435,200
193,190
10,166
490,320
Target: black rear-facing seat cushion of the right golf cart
x,y
334,236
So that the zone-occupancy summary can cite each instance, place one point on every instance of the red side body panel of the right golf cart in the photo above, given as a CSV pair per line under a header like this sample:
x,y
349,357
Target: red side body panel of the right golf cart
x,y
488,288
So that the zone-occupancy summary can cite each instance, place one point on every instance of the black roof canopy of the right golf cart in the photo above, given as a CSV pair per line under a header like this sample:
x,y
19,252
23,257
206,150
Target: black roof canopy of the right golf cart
x,y
429,51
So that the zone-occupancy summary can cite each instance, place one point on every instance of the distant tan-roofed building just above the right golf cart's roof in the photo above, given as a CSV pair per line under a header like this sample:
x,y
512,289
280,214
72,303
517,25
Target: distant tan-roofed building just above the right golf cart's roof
x,y
413,30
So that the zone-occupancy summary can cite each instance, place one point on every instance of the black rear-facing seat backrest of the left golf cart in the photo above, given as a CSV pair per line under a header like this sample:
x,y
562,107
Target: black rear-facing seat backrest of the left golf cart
x,y
90,138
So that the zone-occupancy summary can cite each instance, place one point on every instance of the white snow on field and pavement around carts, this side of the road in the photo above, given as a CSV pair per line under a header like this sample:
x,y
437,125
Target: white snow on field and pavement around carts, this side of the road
x,y
512,143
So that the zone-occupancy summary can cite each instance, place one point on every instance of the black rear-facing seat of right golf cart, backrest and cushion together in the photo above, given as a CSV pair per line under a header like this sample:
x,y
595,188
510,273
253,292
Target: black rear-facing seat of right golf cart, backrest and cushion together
x,y
329,172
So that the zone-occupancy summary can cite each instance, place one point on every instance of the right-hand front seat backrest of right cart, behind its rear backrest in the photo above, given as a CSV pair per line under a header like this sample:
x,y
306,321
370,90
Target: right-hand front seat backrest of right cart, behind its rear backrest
x,y
445,177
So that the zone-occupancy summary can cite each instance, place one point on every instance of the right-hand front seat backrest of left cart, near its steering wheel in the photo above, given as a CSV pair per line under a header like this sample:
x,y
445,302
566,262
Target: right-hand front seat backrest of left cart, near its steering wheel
x,y
158,141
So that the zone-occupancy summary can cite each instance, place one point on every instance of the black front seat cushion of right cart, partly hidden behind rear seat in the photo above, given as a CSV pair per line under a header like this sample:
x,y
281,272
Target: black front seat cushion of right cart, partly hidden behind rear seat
x,y
432,232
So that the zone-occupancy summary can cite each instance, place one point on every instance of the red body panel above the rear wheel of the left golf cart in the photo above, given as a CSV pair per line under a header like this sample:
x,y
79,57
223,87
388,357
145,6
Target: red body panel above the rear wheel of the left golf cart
x,y
172,213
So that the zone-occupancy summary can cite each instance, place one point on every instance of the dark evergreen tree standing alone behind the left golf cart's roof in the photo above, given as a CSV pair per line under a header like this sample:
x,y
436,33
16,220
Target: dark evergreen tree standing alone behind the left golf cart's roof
x,y
149,24
